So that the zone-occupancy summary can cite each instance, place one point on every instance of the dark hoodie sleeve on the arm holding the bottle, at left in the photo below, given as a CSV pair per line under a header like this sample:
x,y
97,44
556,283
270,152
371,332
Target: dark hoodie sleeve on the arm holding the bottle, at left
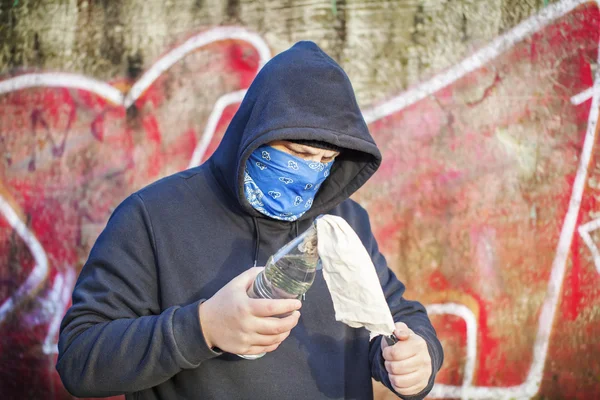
x,y
115,339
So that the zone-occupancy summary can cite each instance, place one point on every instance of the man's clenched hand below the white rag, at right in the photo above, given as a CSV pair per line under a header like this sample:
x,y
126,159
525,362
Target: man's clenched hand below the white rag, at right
x,y
407,362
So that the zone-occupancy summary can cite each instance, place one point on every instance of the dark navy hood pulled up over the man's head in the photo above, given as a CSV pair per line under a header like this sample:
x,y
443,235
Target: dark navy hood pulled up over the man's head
x,y
301,93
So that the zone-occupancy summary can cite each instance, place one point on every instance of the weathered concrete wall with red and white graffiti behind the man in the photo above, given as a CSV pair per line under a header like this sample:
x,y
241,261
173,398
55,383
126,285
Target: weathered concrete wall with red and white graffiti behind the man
x,y
486,205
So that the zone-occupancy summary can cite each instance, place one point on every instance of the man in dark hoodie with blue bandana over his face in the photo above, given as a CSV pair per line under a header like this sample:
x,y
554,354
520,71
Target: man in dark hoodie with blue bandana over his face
x,y
160,309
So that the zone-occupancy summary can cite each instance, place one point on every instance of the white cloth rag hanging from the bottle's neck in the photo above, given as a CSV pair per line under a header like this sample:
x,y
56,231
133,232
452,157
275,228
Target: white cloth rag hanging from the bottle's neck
x,y
358,299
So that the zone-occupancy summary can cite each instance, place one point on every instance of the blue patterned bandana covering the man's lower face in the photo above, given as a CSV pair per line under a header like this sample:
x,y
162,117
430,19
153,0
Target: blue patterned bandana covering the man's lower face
x,y
280,185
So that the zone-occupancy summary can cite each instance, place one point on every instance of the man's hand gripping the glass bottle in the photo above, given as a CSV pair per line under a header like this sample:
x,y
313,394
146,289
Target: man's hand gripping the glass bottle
x,y
235,323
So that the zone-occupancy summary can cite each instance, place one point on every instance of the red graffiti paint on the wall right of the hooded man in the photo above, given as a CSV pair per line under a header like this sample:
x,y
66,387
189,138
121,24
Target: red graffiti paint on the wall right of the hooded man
x,y
472,195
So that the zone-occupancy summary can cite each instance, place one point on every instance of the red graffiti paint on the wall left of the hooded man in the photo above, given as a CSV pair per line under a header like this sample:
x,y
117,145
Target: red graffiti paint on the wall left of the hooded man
x,y
69,157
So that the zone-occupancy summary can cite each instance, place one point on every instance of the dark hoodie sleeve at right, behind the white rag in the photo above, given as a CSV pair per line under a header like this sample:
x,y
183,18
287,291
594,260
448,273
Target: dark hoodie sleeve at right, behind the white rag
x,y
412,313
